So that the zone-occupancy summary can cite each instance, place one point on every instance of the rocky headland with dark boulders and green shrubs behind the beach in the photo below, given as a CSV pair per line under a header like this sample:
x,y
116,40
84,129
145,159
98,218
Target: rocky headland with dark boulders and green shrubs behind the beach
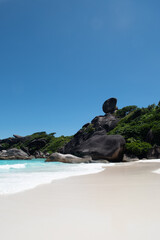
x,y
126,134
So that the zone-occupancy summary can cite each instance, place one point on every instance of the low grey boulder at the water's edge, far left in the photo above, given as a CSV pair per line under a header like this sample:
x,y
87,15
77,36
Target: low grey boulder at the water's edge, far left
x,y
14,153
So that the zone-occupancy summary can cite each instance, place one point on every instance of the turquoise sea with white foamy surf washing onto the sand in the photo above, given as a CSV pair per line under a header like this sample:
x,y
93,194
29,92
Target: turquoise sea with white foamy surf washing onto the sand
x,y
20,175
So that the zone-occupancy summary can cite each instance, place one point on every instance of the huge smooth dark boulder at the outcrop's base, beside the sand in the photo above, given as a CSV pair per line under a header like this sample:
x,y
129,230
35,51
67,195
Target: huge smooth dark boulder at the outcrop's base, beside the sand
x,y
99,146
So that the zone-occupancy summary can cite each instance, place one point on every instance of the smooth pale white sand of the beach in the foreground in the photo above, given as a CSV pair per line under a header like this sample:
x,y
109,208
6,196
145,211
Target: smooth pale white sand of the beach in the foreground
x,y
120,203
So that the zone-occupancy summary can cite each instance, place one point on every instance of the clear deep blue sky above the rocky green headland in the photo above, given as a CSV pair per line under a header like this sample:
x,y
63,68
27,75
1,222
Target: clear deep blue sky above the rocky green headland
x,y
60,60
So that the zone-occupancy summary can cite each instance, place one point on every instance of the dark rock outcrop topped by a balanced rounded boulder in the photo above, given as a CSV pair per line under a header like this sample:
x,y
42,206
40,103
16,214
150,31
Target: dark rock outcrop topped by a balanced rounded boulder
x,y
92,139
